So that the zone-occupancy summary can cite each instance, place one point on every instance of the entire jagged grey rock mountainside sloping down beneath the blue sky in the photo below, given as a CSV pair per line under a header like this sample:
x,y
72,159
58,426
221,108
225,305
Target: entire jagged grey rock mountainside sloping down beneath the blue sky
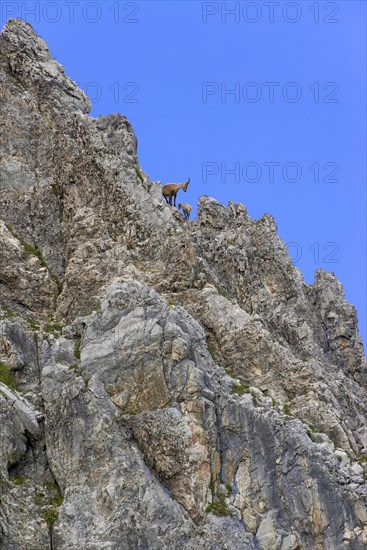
x,y
163,384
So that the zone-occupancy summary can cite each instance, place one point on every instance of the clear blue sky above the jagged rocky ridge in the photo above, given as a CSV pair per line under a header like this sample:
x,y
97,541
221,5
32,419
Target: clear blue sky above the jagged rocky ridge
x,y
297,75
